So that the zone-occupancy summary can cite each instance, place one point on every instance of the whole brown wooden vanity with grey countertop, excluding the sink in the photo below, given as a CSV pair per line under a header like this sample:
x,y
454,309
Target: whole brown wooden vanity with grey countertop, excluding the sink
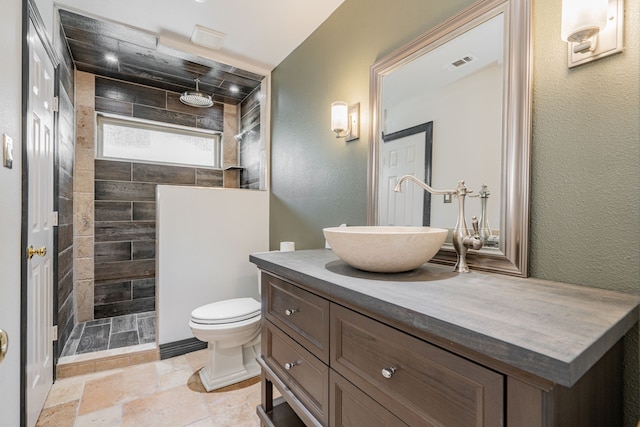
x,y
433,347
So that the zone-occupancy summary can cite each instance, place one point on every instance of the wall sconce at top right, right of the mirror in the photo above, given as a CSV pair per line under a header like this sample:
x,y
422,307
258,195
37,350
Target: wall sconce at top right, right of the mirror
x,y
592,28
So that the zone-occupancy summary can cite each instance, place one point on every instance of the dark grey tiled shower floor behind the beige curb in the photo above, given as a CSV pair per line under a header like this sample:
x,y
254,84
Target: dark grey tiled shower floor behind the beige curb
x,y
110,333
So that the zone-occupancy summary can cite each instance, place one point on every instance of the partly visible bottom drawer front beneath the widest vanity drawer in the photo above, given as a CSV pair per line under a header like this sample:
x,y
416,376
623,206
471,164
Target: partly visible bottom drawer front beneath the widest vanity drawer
x,y
351,407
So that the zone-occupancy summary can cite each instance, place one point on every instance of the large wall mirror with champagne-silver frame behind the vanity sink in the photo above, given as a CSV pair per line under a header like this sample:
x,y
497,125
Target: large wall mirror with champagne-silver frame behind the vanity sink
x,y
452,105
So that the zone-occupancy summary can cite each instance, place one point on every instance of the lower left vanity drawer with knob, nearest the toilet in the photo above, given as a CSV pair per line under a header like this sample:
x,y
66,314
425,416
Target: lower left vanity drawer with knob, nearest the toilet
x,y
305,375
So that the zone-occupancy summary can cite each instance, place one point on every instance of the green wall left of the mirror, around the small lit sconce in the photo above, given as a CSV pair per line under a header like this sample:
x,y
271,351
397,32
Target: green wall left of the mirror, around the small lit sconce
x,y
317,180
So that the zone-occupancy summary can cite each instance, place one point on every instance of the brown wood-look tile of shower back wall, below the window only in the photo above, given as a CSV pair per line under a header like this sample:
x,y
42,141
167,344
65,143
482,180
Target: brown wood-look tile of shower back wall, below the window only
x,y
125,231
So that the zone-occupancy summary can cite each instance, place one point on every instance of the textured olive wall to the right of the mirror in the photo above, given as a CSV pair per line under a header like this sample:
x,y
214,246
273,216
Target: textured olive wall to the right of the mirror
x,y
585,208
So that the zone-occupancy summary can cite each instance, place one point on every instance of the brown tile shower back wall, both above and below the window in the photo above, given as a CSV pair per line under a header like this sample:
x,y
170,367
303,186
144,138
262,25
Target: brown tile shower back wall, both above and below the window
x,y
124,202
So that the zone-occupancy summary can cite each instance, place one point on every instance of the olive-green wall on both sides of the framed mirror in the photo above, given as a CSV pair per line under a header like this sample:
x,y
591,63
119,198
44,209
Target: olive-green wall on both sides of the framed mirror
x,y
585,170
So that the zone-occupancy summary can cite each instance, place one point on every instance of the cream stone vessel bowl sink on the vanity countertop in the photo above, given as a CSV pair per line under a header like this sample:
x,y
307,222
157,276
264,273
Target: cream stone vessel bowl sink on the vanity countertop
x,y
383,249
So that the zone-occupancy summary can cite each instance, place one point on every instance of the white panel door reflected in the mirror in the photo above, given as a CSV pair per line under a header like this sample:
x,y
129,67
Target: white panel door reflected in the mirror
x,y
403,156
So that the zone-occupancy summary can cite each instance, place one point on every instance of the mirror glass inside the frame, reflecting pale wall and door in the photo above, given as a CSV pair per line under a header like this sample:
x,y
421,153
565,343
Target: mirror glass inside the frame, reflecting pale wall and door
x,y
458,88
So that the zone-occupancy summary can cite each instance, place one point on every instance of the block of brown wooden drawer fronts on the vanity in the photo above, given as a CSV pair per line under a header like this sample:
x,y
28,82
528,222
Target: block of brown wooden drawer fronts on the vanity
x,y
378,372
